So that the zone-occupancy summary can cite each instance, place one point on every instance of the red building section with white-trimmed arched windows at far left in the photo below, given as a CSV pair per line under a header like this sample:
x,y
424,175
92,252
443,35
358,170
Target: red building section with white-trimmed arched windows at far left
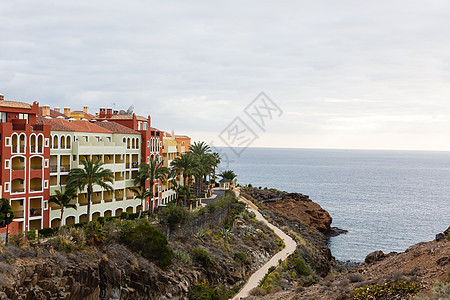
x,y
25,156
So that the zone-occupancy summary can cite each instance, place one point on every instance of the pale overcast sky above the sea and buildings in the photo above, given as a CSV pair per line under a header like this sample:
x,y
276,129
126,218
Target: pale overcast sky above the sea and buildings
x,y
342,74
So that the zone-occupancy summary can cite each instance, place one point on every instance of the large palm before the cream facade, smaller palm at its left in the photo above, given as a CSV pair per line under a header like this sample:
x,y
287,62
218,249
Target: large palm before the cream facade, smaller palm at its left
x,y
92,174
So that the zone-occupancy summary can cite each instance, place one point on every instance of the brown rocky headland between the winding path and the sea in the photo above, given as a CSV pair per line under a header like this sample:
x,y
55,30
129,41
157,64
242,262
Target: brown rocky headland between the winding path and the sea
x,y
294,206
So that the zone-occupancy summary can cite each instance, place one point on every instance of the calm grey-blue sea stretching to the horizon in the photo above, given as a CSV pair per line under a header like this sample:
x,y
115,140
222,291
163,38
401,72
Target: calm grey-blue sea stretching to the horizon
x,y
387,200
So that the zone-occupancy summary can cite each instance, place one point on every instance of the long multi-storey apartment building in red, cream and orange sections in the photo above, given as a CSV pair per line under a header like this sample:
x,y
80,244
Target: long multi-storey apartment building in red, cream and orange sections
x,y
39,147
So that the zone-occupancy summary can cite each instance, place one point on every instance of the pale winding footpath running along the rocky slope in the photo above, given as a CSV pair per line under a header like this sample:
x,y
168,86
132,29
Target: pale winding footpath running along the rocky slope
x,y
256,277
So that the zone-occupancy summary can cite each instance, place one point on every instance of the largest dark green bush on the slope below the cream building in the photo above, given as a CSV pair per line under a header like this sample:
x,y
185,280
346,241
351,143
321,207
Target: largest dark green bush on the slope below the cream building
x,y
147,241
